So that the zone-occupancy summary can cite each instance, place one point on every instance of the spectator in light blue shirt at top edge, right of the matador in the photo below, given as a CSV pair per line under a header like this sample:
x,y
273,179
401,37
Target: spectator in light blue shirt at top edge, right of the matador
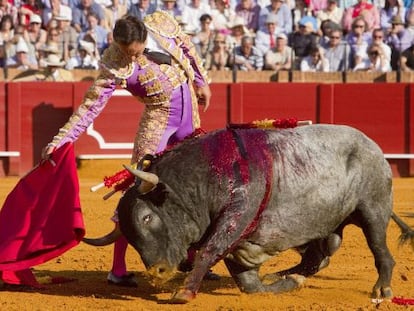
x,y
283,15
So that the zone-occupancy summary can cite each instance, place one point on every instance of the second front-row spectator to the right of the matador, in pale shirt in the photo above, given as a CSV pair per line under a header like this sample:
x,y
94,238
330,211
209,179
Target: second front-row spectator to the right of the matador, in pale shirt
x,y
246,56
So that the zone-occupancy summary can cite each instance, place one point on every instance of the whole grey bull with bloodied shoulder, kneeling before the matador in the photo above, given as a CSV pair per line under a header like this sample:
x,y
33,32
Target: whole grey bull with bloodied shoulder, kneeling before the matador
x,y
245,195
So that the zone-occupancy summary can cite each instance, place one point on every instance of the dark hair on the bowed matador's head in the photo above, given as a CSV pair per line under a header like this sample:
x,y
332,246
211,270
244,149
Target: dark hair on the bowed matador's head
x,y
129,29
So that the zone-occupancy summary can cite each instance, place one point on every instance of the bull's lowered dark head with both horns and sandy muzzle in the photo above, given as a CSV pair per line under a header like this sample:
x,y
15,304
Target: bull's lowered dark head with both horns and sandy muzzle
x,y
149,221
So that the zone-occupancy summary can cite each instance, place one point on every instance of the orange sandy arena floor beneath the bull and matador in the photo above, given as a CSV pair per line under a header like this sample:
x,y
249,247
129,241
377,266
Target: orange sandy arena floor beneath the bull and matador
x,y
344,285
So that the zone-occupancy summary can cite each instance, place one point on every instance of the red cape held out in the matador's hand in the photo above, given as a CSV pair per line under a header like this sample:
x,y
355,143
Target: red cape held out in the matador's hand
x,y
42,218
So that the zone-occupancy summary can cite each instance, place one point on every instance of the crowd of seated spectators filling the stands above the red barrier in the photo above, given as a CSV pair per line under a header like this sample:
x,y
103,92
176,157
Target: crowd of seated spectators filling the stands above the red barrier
x,y
248,35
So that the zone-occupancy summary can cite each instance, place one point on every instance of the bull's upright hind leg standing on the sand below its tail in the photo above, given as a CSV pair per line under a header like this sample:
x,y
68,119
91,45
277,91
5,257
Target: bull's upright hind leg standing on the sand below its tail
x,y
374,226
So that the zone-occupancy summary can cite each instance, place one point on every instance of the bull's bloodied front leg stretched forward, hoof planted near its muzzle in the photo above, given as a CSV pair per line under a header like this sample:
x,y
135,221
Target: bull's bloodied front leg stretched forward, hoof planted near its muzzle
x,y
227,231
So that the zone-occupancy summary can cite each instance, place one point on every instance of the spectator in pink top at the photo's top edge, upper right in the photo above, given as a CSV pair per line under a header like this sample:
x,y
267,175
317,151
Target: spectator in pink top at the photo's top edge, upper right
x,y
365,10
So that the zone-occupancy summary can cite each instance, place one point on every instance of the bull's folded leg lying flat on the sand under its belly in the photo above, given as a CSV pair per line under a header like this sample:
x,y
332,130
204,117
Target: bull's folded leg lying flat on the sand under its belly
x,y
248,281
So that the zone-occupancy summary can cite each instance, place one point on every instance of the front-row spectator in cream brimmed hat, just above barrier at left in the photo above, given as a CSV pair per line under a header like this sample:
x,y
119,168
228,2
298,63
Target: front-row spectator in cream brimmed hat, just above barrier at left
x,y
54,70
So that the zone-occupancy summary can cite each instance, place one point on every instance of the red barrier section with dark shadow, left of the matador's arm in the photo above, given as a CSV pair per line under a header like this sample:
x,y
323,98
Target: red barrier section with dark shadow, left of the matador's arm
x,y
36,111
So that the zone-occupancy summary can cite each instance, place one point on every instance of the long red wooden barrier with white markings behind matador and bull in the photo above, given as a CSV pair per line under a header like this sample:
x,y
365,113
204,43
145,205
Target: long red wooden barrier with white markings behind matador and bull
x,y
385,112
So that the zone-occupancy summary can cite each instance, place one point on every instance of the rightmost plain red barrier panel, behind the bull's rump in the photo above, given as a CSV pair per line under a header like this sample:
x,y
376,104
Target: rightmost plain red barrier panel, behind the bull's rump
x,y
378,110
